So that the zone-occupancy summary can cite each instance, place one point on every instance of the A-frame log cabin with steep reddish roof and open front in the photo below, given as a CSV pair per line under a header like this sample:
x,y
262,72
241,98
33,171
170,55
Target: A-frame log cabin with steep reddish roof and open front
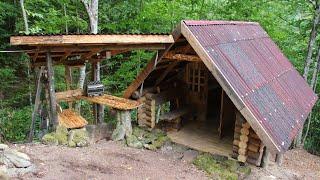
x,y
224,87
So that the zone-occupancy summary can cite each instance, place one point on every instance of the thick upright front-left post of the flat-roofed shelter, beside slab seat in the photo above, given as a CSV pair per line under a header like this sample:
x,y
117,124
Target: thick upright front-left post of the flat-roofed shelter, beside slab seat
x,y
52,94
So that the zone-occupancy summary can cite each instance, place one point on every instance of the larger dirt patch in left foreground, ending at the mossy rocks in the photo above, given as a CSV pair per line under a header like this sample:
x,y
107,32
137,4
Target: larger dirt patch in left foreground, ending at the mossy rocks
x,y
106,160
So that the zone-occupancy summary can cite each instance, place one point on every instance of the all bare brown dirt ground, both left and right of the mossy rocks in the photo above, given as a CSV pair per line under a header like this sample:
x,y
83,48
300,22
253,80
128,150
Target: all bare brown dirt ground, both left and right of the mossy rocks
x,y
113,160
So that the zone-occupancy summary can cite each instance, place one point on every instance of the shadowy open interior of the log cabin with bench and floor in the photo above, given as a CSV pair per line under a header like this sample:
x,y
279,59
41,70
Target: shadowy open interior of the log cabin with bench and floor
x,y
200,115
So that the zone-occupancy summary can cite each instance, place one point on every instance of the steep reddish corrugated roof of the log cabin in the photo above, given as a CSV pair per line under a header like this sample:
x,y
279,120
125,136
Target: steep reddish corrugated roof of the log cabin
x,y
262,77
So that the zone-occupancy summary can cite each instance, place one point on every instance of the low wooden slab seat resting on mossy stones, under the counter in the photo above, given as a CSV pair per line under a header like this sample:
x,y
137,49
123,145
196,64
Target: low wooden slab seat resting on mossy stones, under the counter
x,y
71,119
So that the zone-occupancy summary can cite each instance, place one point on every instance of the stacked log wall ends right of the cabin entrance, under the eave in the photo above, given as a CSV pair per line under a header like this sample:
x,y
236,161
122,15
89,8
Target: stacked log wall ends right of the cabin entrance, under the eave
x,y
247,146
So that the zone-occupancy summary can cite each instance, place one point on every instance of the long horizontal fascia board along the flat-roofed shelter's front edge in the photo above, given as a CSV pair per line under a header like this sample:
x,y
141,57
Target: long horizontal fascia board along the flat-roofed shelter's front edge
x,y
90,39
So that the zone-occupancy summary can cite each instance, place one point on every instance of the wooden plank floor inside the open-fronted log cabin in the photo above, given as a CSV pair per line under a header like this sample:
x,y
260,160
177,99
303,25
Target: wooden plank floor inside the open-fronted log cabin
x,y
202,137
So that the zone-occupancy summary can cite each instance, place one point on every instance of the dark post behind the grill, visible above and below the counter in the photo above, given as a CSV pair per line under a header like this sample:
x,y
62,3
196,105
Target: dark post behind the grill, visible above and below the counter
x,y
98,109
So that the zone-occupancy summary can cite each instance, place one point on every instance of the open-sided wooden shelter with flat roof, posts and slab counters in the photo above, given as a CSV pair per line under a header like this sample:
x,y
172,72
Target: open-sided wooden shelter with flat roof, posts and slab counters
x,y
74,51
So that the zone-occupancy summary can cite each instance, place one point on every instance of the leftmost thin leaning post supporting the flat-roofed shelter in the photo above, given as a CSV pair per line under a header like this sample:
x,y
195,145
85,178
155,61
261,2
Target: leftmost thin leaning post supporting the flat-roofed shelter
x,y
36,104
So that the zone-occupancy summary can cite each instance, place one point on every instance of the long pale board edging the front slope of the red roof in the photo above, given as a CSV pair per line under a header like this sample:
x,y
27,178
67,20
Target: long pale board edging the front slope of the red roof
x,y
230,91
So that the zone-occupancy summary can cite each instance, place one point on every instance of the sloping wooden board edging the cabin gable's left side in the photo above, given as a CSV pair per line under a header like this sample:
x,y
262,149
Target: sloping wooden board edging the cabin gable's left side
x,y
144,73
